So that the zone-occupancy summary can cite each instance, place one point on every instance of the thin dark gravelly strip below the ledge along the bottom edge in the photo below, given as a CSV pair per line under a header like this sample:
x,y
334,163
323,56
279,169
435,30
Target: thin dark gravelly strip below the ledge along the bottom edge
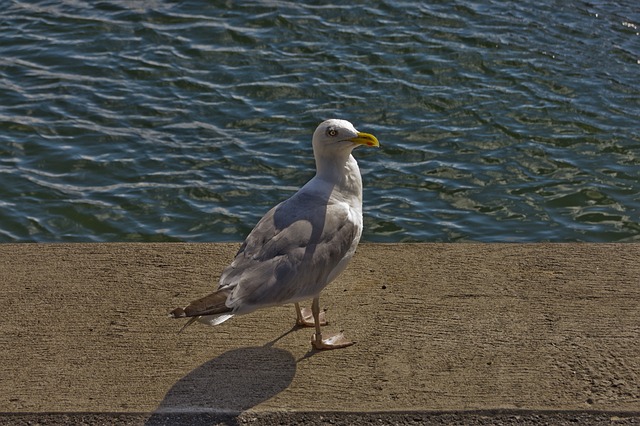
x,y
486,417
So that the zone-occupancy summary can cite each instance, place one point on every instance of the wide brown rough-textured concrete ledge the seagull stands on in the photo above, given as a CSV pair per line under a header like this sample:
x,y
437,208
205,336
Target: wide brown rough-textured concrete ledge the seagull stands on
x,y
441,328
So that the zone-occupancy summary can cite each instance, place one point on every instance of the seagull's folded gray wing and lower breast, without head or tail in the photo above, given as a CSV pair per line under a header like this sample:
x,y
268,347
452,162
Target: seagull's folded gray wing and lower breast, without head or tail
x,y
291,252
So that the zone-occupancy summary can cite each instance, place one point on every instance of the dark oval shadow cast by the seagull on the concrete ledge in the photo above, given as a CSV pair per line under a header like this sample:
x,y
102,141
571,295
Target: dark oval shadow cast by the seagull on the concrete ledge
x,y
224,387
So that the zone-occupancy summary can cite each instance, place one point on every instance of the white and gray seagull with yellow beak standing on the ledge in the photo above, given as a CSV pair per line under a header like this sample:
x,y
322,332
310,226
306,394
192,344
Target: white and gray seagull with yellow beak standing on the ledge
x,y
300,245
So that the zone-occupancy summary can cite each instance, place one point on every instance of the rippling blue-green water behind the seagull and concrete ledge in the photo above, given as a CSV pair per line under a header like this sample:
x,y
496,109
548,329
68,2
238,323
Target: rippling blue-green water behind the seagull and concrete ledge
x,y
165,121
